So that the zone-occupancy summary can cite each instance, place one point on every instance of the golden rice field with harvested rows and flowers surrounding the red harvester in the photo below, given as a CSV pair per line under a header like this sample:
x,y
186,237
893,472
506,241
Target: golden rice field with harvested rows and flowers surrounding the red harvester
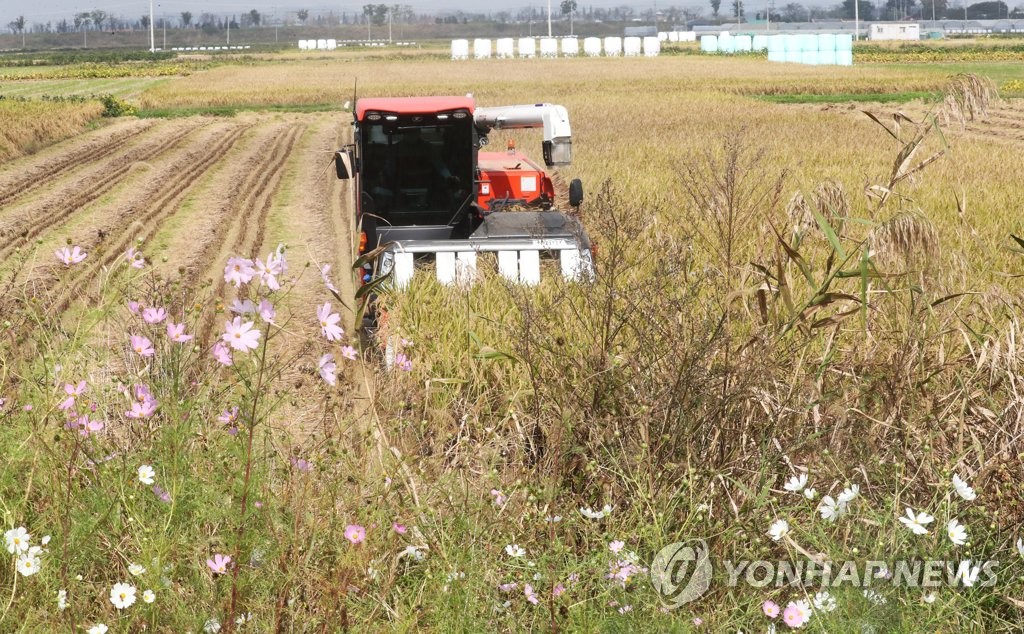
x,y
800,347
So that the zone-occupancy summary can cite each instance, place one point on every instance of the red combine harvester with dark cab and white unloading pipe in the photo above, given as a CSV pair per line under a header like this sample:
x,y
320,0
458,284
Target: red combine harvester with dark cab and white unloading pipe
x,y
424,191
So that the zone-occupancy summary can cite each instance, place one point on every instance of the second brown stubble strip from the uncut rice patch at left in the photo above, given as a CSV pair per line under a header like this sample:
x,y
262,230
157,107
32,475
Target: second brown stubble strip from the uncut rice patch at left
x,y
37,219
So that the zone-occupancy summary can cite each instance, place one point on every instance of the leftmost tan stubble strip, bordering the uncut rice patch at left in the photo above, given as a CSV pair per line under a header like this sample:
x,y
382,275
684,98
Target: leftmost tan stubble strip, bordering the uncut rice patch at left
x,y
42,172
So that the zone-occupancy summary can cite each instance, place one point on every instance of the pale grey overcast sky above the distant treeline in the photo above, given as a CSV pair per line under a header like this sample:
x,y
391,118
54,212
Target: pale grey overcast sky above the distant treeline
x,y
54,11
